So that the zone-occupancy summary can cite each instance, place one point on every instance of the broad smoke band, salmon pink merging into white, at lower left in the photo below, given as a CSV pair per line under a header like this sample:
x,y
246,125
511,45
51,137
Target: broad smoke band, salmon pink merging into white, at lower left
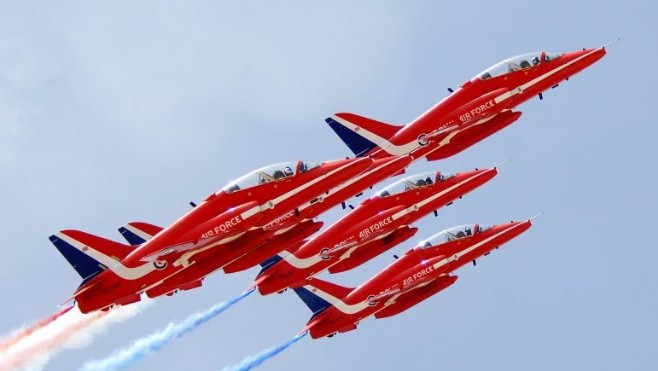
x,y
73,330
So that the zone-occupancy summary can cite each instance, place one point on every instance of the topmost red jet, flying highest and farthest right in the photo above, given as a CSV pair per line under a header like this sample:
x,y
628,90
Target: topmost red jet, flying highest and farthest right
x,y
482,106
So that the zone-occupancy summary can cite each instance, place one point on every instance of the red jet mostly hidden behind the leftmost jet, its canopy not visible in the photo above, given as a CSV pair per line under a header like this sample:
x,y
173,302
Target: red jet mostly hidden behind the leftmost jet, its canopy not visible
x,y
257,245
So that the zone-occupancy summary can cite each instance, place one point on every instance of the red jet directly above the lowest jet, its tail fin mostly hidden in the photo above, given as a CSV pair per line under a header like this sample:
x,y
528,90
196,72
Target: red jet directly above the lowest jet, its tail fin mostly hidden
x,y
376,225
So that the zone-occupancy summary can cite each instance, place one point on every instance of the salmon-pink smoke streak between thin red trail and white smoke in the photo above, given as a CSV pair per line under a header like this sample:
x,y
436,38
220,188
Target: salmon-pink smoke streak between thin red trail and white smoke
x,y
48,342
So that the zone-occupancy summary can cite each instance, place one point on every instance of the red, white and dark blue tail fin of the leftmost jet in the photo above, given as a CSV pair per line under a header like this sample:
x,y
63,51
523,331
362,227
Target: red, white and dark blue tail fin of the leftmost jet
x,y
88,254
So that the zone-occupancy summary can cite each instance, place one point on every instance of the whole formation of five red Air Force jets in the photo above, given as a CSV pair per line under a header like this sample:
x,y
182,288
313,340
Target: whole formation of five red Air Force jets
x,y
269,217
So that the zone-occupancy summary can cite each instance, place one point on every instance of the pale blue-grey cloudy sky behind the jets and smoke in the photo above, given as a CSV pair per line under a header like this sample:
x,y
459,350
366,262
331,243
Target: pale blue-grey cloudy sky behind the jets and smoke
x,y
120,111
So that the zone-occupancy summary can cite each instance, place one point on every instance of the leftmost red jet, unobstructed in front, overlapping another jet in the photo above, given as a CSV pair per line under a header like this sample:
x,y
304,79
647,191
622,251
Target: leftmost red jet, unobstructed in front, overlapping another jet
x,y
114,273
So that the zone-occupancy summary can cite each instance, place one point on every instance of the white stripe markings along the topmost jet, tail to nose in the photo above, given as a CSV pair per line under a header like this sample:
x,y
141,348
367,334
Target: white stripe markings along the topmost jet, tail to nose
x,y
396,150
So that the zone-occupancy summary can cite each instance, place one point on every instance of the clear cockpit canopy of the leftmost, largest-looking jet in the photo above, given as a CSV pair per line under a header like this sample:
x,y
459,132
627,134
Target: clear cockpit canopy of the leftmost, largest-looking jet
x,y
270,173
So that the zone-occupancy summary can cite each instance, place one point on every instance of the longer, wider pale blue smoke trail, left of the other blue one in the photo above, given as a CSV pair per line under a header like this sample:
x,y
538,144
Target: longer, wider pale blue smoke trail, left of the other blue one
x,y
126,357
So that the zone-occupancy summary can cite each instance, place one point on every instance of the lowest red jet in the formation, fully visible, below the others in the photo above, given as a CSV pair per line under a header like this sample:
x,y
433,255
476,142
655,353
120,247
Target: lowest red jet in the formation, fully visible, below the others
x,y
420,273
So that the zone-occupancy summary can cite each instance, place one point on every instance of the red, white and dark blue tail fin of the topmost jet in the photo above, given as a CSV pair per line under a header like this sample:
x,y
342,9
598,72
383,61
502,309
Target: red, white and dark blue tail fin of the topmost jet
x,y
361,134
